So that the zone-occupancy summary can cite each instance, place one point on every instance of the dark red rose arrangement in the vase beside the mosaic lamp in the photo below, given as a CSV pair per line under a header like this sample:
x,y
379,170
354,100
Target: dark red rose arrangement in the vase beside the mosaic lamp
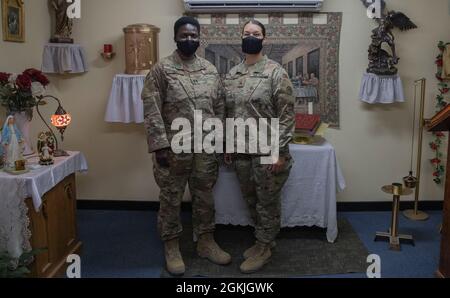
x,y
18,92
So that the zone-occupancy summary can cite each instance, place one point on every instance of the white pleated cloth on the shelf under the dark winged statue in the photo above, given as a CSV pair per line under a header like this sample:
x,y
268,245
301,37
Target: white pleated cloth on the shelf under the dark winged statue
x,y
381,89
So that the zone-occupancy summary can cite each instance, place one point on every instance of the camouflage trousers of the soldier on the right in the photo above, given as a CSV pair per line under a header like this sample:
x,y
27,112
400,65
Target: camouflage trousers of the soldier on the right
x,y
261,189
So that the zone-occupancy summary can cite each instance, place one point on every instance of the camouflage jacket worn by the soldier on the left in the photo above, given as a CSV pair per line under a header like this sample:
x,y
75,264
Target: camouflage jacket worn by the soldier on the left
x,y
174,89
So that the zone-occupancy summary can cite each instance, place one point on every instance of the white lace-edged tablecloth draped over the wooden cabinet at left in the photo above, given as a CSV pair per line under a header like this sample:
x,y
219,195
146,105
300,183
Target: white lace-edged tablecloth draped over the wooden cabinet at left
x,y
14,231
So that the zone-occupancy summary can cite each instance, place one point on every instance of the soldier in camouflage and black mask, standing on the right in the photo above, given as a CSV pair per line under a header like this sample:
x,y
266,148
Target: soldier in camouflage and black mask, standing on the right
x,y
261,88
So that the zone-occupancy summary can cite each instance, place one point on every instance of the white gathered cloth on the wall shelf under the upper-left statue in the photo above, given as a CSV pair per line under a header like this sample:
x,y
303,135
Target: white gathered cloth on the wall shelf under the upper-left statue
x,y
64,58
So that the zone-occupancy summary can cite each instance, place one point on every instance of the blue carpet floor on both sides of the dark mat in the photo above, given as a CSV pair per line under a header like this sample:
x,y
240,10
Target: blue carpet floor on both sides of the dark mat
x,y
126,244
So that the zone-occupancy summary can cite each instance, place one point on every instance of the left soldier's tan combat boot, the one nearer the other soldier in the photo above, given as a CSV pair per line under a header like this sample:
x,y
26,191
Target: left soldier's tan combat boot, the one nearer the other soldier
x,y
209,249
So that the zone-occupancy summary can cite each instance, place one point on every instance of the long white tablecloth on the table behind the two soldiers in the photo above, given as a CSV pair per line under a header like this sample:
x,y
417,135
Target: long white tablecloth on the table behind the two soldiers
x,y
308,197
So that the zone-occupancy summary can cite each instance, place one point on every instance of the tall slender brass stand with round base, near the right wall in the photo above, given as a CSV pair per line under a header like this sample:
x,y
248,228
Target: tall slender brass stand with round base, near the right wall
x,y
411,181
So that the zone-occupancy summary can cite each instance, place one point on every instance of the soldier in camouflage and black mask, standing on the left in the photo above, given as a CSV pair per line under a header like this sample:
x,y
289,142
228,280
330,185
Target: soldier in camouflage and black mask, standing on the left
x,y
174,88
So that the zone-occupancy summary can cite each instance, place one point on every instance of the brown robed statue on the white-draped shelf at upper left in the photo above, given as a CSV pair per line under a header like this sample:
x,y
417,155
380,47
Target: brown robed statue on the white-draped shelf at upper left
x,y
63,24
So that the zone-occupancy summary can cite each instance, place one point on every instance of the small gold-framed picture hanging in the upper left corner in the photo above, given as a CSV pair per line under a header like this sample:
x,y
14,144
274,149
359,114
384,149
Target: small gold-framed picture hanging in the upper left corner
x,y
13,20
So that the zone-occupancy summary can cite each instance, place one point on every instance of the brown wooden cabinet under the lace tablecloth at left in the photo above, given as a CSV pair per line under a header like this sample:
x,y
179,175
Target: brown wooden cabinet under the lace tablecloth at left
x,y
54,227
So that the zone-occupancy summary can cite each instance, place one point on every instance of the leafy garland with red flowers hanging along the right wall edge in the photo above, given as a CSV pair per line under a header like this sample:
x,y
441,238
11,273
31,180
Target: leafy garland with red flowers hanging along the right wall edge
x,y
441,103
